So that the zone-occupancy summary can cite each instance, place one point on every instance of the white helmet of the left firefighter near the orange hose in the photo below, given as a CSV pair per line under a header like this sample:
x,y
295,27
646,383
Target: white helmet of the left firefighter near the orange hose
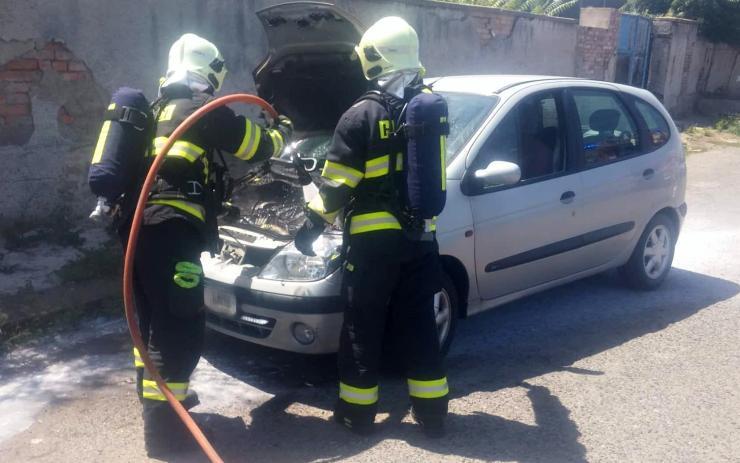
x,y
198,56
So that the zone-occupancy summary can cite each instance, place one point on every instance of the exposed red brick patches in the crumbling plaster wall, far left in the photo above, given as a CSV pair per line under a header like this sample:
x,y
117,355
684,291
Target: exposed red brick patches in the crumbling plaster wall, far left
x,y
21,76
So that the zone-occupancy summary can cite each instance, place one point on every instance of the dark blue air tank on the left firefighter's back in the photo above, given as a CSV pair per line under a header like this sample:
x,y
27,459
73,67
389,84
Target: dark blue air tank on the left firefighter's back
x,y
118,160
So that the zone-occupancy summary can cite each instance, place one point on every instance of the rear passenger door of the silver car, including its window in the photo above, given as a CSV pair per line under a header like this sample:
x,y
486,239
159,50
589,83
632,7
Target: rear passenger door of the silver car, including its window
x,y
616,177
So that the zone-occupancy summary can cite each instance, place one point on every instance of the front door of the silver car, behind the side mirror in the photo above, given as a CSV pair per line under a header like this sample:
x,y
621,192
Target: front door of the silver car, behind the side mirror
x,y
523,232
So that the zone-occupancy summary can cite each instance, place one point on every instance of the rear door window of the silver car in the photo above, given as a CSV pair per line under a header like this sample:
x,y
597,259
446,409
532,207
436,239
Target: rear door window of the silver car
x,y
609,132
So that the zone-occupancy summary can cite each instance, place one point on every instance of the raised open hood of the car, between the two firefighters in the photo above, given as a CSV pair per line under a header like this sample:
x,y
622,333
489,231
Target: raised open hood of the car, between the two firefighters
x,y
311,73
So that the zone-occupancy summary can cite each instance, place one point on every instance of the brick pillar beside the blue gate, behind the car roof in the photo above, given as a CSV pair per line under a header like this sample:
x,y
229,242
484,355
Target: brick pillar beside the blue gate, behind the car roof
x,y
596,46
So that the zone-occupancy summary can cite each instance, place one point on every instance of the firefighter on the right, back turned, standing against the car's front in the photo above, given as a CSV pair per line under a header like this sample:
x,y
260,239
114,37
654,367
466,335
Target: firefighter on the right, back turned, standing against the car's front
x,y
392,265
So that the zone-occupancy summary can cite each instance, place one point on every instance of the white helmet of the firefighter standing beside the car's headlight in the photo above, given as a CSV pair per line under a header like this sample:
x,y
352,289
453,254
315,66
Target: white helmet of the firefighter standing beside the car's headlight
x,y
390,45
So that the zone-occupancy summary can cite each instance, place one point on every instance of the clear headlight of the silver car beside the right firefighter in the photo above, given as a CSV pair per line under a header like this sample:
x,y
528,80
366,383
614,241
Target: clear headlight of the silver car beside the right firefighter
x,y
291,264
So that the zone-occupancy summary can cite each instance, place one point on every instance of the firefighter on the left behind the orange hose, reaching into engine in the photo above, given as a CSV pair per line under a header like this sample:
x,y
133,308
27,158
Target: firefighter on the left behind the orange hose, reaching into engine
x,y
180,223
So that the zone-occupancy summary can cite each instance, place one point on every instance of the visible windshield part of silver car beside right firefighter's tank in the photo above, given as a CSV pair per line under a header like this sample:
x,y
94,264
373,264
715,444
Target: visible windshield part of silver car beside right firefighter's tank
x,y
466,113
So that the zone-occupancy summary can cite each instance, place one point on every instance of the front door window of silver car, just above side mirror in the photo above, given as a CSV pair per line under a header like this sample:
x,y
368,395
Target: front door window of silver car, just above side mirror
x,y
531,135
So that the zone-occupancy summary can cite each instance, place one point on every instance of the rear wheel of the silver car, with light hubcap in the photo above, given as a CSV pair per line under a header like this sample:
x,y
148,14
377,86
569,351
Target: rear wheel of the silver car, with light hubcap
x,y
652,257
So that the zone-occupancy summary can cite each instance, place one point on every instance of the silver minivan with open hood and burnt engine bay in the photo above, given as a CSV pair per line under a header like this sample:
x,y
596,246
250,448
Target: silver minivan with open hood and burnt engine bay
x,y
550,179
